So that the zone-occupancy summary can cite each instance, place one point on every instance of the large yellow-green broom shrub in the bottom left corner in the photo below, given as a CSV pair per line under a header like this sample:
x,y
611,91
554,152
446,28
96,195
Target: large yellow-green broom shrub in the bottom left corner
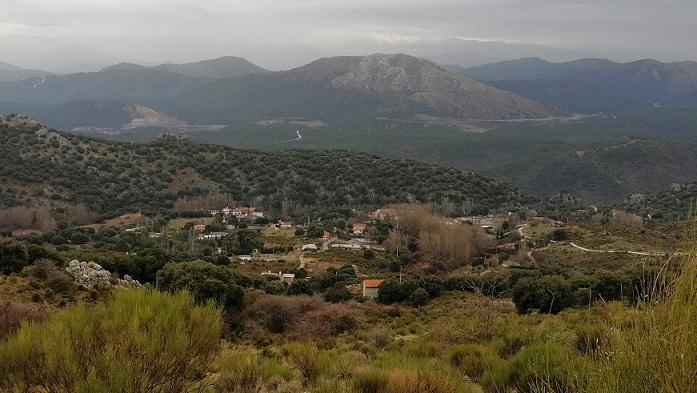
x,y
140,341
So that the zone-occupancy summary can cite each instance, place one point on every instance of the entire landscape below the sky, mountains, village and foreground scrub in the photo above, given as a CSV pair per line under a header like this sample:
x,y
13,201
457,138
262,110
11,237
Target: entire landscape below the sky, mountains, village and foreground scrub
x,y
360,224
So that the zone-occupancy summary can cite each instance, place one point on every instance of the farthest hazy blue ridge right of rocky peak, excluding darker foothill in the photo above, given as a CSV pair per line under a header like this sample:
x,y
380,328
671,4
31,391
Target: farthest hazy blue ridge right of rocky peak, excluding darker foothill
x,y
644,80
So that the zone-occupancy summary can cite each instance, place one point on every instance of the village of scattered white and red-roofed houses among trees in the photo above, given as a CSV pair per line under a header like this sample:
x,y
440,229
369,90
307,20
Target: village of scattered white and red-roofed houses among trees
x,y
286,250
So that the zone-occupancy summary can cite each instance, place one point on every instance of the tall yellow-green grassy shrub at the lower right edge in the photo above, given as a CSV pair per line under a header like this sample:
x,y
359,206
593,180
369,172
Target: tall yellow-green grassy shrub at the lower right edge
x,y
657,352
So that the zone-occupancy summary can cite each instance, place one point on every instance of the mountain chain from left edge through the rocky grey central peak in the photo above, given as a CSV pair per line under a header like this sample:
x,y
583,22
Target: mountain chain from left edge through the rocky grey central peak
x,y
229,90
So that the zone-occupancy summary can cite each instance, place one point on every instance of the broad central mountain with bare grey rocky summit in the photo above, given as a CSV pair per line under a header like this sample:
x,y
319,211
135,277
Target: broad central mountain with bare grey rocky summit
x,y
355,87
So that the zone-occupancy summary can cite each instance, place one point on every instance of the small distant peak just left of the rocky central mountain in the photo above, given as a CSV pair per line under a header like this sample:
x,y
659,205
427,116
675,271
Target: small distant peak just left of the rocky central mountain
x,y
223,67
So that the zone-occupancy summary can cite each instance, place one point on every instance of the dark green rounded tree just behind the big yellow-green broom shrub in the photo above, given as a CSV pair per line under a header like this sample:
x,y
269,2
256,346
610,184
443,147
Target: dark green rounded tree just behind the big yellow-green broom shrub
x,y
204,280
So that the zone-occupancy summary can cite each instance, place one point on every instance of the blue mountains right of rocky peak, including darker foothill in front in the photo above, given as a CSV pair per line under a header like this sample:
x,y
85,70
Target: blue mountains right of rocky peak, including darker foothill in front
x,y
617,85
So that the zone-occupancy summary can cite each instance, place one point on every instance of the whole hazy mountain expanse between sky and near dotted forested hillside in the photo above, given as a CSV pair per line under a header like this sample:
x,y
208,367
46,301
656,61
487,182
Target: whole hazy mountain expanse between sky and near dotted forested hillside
x,y
516,123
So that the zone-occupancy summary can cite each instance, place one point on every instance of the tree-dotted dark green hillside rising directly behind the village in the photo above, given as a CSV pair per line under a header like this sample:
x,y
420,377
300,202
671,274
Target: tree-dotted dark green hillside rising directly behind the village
x,y
41,167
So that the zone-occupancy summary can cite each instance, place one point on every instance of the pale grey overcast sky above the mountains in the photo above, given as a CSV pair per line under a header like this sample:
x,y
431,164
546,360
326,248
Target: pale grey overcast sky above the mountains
x,y
55,34
